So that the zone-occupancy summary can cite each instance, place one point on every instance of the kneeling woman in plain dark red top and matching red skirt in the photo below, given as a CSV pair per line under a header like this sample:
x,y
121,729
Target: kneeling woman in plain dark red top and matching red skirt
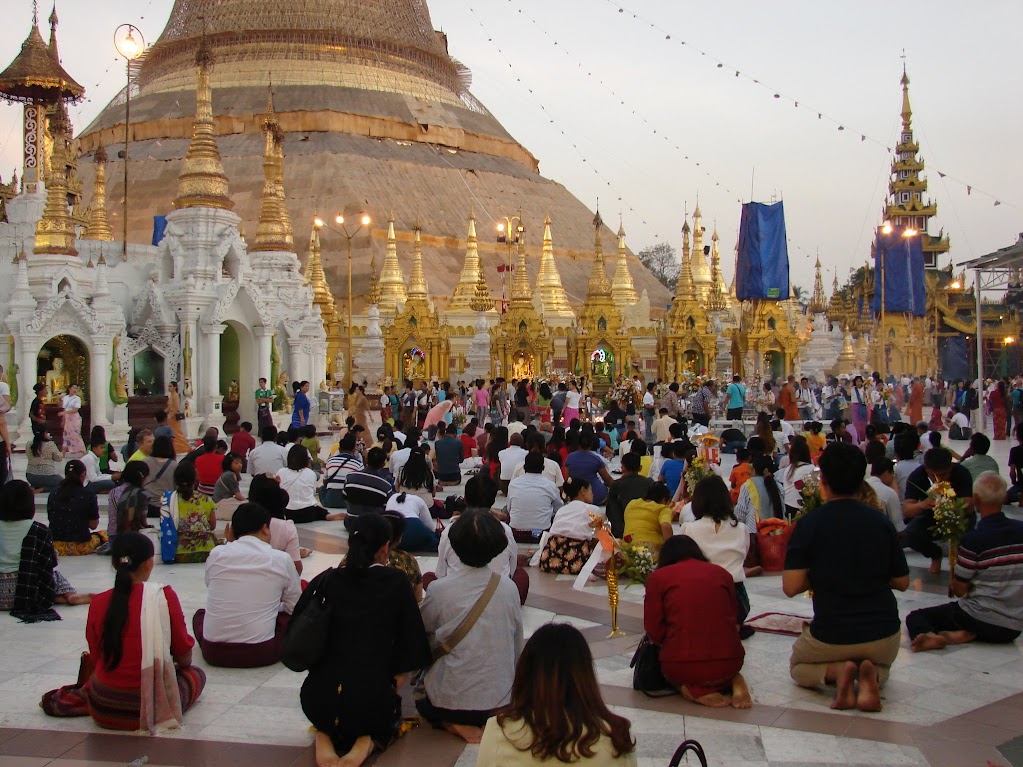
x,y
691,612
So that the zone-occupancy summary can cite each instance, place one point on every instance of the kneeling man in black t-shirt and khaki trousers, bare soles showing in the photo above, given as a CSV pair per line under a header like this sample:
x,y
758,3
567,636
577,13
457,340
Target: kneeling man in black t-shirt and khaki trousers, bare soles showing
x,y
850,555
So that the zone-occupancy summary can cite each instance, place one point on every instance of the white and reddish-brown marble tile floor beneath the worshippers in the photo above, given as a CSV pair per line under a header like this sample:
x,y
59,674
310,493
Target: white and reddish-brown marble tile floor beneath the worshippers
x,y
949,709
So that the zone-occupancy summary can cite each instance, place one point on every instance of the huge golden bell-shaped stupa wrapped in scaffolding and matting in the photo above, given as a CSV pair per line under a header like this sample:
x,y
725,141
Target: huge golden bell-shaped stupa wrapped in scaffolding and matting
x,y
376,116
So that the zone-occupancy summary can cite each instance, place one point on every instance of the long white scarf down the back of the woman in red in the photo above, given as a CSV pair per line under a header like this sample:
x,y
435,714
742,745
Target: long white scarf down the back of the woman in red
x,y
161,702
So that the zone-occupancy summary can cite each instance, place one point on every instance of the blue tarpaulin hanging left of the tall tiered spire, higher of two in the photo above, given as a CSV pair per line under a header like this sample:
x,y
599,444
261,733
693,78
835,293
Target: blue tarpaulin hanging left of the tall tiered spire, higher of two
x,y
763,265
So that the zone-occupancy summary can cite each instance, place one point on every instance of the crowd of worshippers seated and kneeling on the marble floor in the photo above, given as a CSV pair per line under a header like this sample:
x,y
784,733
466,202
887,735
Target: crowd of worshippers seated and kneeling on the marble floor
x,y
457,634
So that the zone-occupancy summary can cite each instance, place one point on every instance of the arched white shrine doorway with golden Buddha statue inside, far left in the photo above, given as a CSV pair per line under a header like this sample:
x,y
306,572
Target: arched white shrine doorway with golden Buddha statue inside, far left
x,y
64,362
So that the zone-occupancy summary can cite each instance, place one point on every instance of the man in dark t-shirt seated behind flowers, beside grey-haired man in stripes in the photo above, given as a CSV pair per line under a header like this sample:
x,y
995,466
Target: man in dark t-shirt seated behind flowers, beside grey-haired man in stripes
x,y
918,507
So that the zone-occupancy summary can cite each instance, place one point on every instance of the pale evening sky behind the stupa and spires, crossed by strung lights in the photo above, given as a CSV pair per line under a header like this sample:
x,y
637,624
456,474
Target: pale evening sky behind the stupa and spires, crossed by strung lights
x,y
842,60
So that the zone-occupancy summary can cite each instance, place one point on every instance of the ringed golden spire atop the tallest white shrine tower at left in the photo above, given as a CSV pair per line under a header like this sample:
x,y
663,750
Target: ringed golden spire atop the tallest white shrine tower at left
x,y
203,183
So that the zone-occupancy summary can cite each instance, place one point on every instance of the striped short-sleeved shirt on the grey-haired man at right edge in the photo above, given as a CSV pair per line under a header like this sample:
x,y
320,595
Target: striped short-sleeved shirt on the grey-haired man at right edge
x,y
991,560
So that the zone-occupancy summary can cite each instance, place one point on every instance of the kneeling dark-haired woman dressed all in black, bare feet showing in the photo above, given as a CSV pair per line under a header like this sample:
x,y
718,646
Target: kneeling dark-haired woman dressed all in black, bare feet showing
x,y
351,696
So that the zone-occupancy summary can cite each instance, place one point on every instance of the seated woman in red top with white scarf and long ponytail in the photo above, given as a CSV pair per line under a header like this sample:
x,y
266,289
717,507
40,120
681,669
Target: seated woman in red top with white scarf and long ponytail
x,y
144,679
